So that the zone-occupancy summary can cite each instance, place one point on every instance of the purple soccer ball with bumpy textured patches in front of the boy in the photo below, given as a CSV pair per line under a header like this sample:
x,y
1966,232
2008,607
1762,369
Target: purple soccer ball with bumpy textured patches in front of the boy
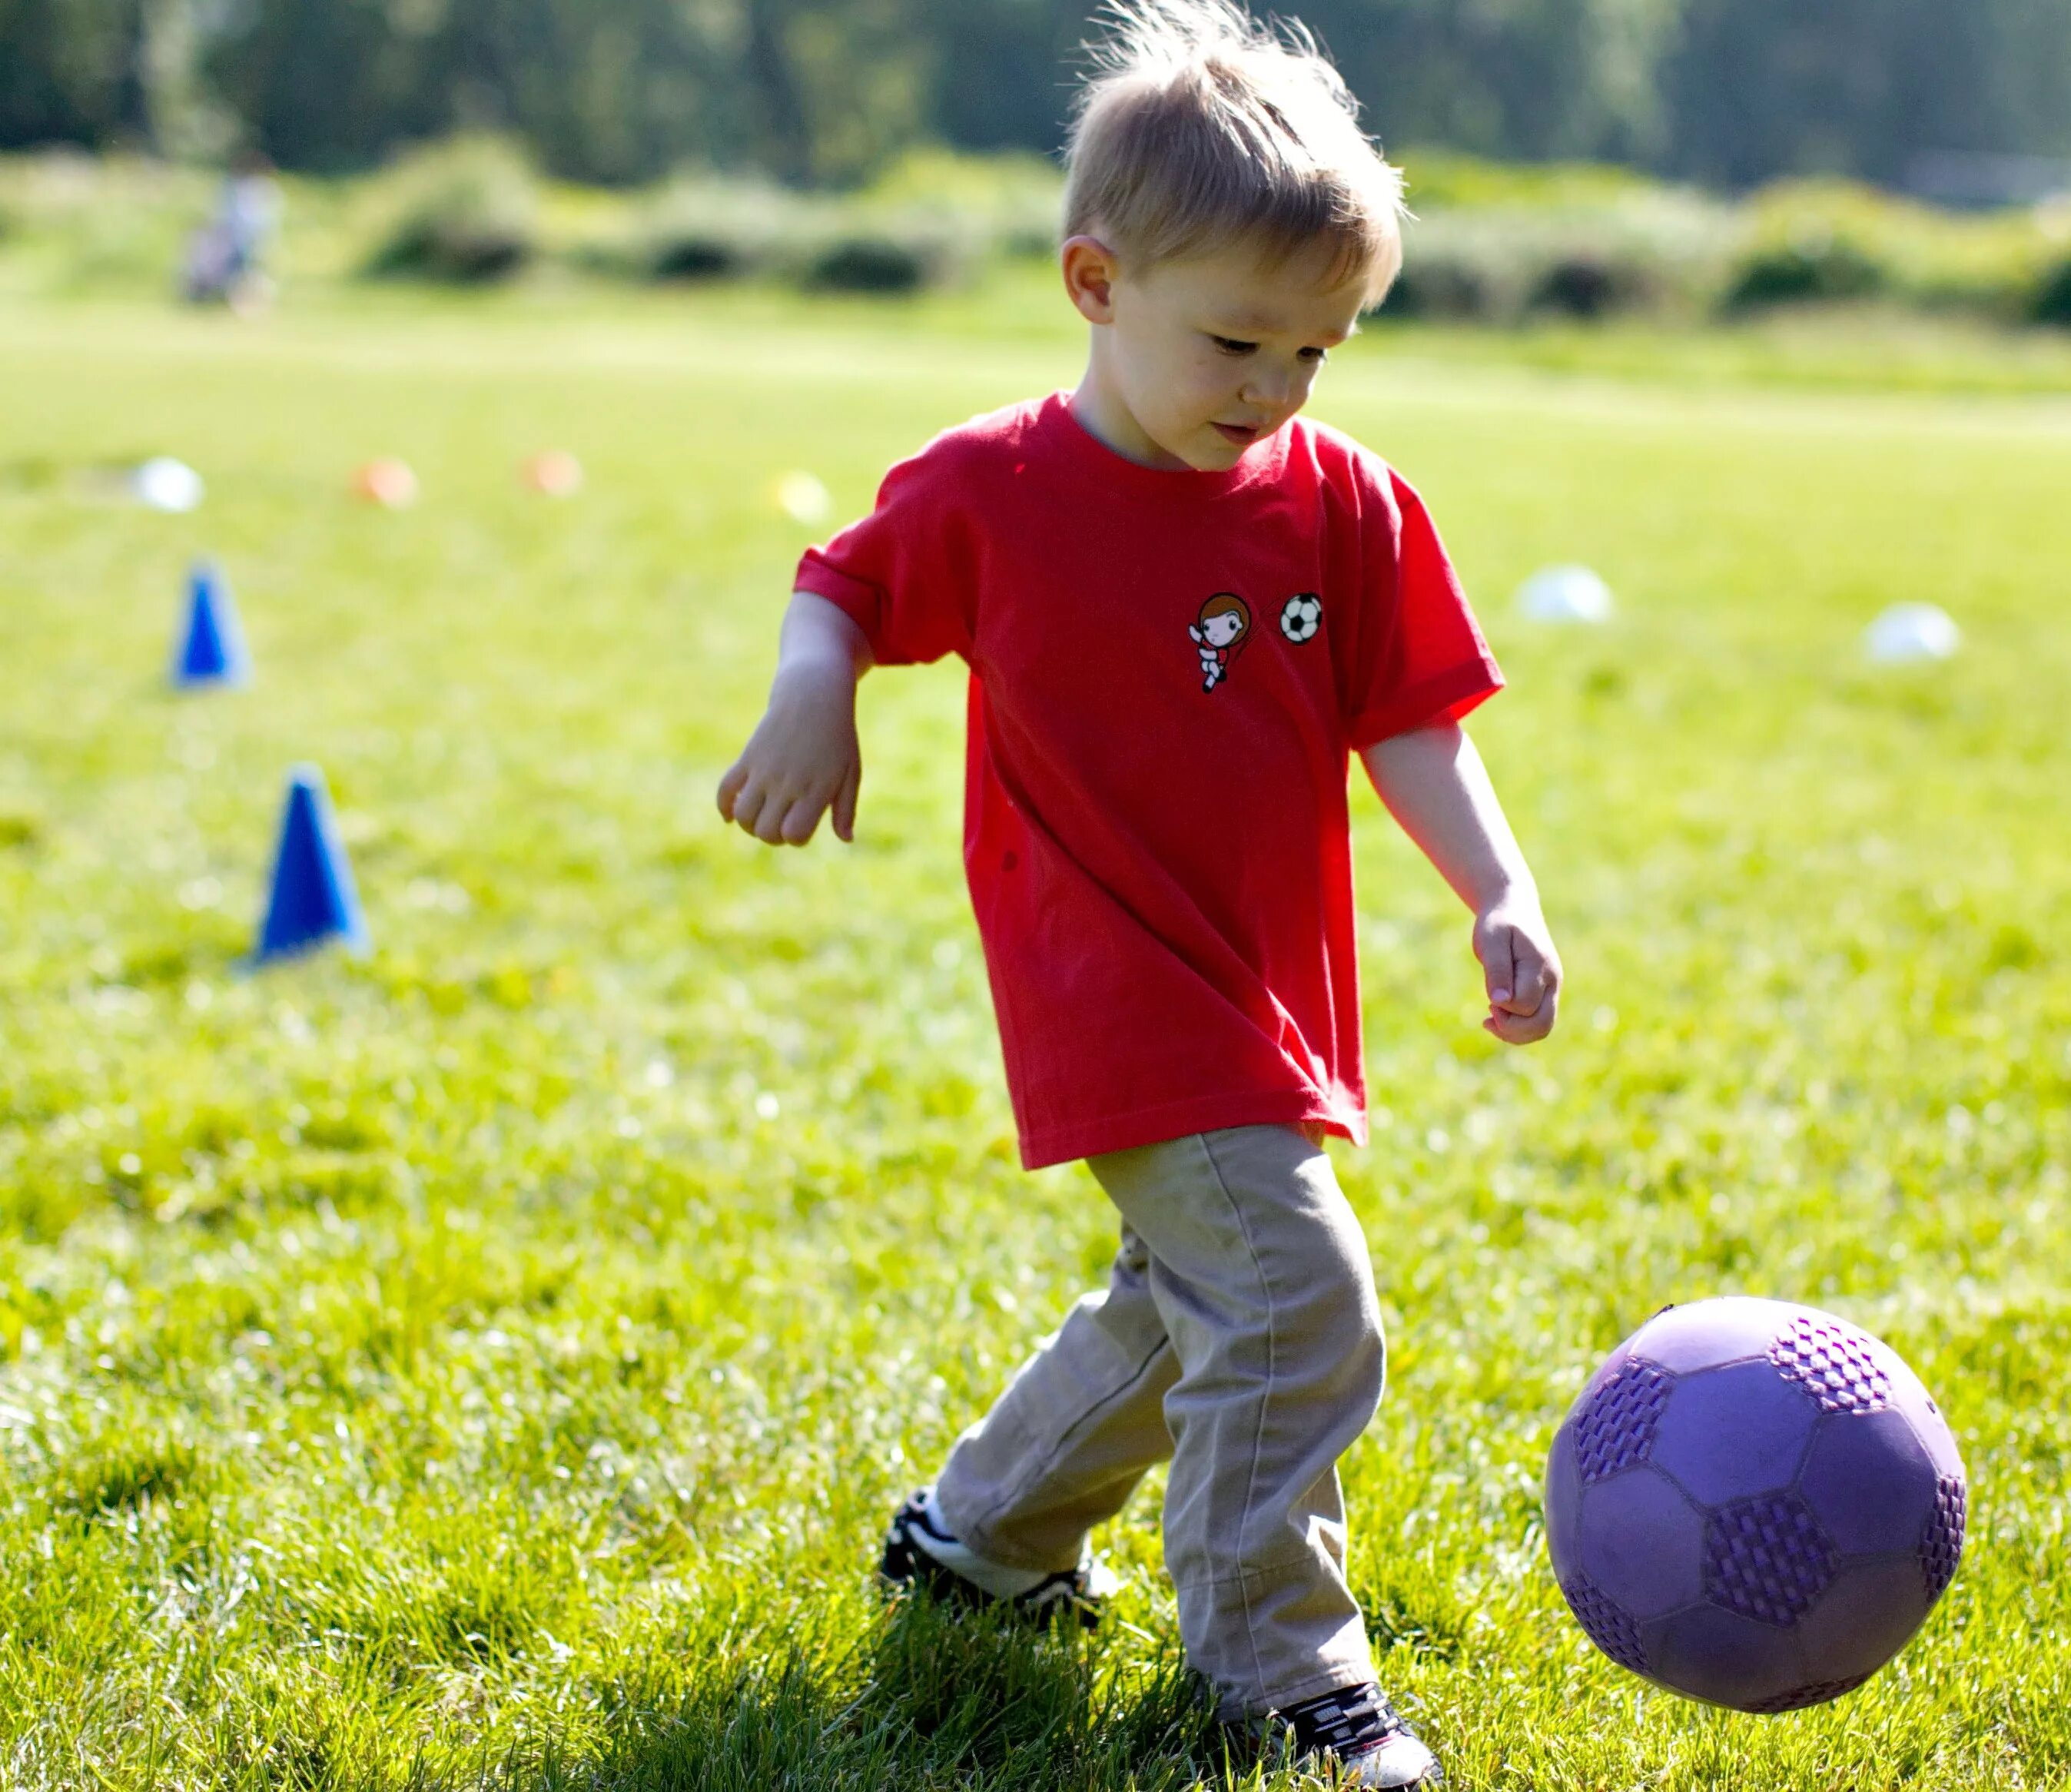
x,y
1755,1505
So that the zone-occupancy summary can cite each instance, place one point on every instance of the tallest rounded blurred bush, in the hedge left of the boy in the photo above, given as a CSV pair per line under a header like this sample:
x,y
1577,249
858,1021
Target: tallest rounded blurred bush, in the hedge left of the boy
x,y
463,212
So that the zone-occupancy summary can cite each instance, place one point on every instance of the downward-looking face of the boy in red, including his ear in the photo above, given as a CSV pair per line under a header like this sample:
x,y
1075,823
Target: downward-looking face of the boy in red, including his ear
x,y
1196,362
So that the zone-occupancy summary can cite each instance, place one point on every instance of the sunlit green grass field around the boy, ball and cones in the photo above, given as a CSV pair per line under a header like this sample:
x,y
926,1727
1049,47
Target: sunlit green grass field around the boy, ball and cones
x,y
492,1362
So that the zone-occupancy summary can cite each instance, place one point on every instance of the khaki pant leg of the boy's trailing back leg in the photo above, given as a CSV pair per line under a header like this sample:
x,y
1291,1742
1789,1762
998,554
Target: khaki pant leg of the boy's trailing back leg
x,y
1068,1443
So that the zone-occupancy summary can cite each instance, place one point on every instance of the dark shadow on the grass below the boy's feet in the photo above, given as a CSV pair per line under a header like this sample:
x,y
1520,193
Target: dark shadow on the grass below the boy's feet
x,y
933,1700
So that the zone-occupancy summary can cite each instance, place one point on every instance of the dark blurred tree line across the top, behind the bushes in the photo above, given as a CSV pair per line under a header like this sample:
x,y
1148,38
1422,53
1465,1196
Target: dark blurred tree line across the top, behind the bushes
x,y
1728,92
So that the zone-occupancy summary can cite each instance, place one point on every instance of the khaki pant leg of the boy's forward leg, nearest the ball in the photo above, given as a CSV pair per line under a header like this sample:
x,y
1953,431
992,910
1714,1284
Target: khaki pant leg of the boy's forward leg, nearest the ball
x,y
1262,1277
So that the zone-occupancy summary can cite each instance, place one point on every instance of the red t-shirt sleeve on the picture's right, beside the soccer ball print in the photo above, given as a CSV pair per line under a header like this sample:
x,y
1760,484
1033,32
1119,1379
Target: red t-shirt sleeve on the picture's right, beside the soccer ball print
x,y
1420,656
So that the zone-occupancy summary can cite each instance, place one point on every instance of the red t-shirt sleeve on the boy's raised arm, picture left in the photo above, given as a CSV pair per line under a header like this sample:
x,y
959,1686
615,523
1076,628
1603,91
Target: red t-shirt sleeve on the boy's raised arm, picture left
x,y
906,573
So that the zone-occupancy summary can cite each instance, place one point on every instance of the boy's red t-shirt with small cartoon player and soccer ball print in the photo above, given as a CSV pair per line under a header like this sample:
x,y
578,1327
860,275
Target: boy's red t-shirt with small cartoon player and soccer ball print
x,y
1169,676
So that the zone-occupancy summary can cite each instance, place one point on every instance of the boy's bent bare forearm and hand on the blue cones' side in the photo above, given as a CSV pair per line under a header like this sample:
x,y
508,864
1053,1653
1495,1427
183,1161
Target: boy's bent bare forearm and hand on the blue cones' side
x,y
803,755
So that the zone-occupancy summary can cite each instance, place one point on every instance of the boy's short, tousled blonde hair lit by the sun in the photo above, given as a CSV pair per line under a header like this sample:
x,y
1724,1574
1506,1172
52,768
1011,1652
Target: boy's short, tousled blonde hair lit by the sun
x,y
1198,127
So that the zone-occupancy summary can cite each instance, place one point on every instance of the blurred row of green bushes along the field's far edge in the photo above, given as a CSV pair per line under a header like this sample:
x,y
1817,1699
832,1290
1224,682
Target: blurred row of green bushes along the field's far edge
x,y
1492,245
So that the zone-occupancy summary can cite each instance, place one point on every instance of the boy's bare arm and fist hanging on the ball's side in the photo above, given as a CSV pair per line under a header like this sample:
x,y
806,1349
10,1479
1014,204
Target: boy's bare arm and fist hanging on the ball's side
x,y
1438,790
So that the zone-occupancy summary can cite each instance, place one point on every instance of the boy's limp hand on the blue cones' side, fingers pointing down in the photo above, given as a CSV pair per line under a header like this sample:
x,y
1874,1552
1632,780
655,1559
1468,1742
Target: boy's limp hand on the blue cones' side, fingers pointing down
x,y
800,761
